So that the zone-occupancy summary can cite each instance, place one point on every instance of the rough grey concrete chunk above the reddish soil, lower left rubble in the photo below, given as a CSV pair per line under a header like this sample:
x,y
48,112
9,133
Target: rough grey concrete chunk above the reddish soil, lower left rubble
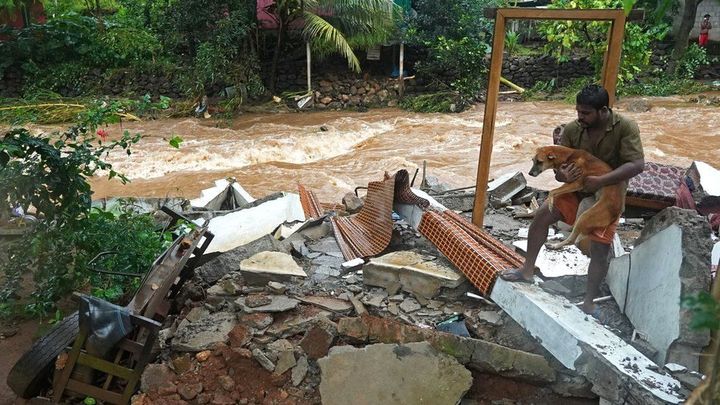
x,y
203,333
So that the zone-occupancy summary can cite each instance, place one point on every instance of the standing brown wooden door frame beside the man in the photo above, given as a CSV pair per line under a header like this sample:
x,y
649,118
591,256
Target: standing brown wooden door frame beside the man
x,y
611,66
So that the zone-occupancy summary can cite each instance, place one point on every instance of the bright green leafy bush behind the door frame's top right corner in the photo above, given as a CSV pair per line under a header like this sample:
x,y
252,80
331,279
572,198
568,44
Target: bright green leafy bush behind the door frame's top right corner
x,y
566,38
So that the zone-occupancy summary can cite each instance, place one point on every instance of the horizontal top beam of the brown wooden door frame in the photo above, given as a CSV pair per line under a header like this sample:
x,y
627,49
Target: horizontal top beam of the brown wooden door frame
x,y
531,13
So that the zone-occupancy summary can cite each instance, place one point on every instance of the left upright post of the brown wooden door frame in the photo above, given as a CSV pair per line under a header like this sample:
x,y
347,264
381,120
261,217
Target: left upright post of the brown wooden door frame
x,y
491,99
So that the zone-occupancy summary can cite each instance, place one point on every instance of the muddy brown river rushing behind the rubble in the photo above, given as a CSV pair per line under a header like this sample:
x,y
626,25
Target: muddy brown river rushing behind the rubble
x,y
275,151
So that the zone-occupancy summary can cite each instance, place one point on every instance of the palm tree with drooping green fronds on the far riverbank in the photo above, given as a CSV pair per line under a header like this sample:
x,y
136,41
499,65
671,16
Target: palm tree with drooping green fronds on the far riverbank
x,y
334,26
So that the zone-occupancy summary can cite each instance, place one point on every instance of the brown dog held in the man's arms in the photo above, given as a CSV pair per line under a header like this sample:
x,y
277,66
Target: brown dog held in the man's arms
x,y
604,212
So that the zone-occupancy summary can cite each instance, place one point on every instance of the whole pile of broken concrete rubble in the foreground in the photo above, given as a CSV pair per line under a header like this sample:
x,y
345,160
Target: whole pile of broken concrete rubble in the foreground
x,y
275,316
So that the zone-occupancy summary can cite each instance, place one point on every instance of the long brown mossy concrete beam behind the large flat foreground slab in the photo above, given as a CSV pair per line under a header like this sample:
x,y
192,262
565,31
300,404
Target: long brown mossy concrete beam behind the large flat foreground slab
x,y
474,353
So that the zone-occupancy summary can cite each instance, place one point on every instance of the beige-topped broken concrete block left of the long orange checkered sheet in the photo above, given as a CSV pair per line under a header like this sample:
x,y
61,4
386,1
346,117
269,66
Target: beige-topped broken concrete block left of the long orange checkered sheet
x,y
412,271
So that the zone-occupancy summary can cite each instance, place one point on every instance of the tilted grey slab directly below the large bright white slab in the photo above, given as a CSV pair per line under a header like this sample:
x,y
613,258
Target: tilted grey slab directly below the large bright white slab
x,y
229,261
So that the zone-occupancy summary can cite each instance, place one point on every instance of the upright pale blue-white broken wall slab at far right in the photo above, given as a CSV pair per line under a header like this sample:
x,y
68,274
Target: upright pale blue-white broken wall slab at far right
x,y
670,261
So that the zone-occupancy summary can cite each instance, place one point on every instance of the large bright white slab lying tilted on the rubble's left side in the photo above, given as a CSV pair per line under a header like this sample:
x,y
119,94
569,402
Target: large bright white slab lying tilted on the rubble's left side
x,y
244,226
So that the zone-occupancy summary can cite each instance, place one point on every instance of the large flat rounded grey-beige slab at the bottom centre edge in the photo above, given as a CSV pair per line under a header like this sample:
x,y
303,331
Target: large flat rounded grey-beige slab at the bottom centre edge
x,y
414,373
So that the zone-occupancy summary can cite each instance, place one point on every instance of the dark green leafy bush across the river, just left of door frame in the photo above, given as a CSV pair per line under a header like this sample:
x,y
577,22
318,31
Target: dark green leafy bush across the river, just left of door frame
x,y
455,36
